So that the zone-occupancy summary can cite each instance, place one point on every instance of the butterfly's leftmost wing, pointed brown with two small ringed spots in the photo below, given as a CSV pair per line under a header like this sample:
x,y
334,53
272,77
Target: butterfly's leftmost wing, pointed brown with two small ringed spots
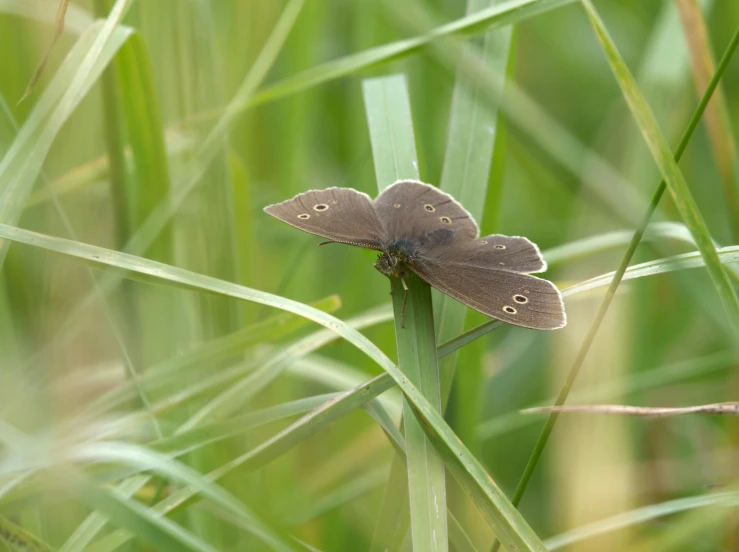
x,y
339,214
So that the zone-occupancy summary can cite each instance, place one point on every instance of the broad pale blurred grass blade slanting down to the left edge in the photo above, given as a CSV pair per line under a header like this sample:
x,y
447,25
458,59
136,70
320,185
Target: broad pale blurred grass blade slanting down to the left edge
x,y
23,161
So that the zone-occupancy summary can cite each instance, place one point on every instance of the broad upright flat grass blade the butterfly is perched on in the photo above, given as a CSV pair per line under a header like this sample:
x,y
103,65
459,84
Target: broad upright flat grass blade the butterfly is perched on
x,y
394,151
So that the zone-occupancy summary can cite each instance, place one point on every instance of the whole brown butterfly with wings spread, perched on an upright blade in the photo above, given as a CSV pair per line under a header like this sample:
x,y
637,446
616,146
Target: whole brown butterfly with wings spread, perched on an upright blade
x,y
419,228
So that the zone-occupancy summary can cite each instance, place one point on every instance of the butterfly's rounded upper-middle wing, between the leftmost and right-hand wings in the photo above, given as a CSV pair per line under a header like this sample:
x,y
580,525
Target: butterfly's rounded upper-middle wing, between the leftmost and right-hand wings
x,y
411,210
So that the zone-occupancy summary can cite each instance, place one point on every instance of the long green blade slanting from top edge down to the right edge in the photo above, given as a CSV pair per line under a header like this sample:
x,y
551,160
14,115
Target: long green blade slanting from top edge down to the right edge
x,y
663,157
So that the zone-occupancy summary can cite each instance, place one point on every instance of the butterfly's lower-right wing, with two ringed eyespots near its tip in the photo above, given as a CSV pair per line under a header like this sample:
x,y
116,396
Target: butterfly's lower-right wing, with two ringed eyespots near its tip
x,y
512,297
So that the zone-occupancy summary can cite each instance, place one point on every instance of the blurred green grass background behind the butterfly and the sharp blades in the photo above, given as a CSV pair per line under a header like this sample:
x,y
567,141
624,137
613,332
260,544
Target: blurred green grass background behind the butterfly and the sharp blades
x,y
157,126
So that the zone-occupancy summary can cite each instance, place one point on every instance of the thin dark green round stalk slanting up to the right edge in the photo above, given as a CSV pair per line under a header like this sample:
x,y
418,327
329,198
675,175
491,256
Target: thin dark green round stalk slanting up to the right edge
x,y
618,276
